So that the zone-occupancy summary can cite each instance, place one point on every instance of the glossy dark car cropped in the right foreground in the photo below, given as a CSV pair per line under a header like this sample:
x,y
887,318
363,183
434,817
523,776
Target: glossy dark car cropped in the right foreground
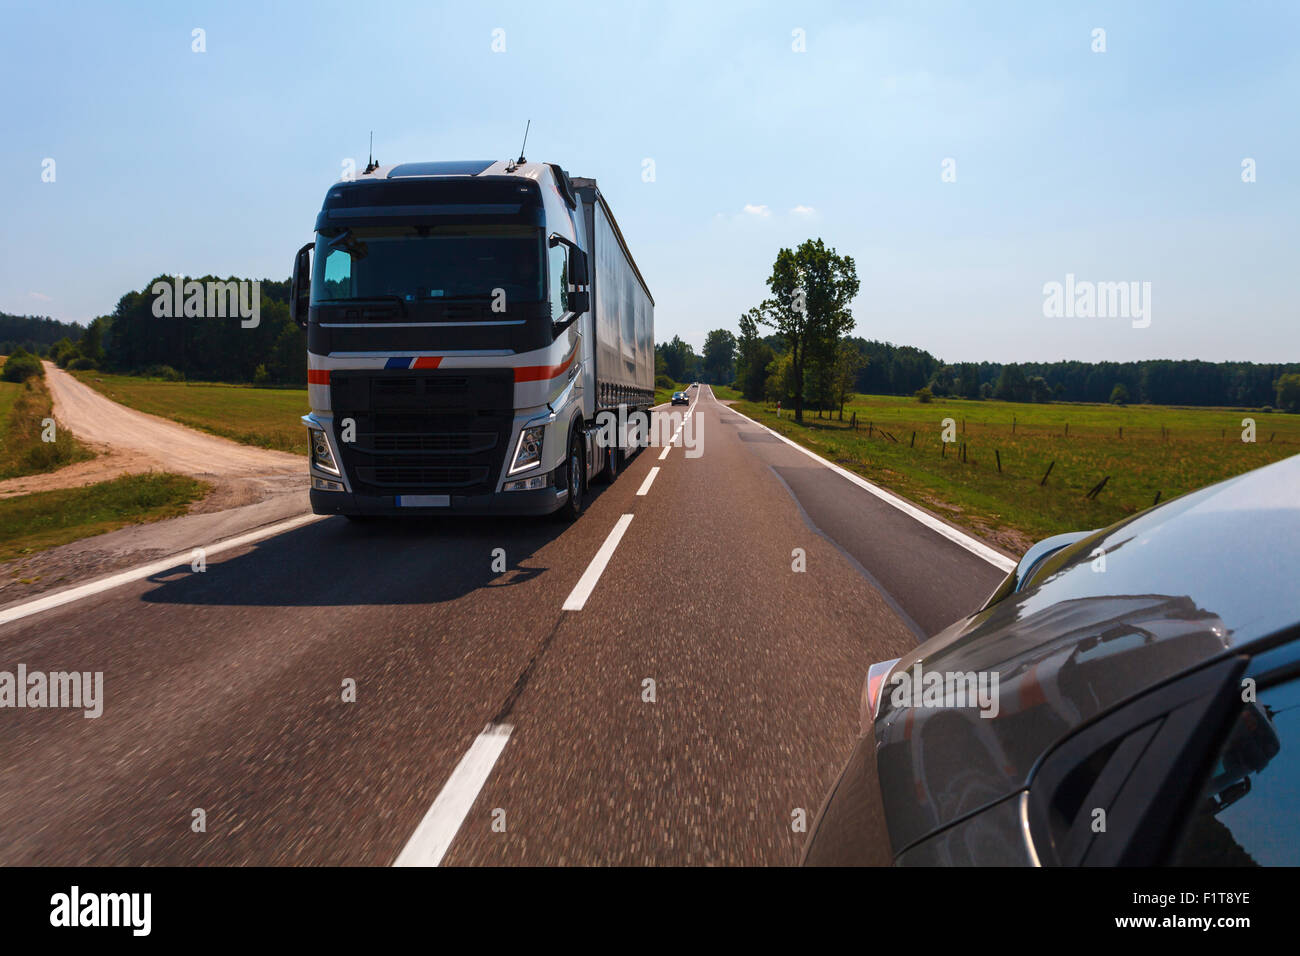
x,y
1126,697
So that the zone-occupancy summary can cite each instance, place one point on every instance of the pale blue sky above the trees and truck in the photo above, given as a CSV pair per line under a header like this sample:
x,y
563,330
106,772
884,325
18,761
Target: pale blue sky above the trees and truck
x,y
1124,166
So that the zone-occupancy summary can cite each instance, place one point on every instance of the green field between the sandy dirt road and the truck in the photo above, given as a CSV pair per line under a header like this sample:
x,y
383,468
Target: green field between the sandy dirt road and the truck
x,y
268,418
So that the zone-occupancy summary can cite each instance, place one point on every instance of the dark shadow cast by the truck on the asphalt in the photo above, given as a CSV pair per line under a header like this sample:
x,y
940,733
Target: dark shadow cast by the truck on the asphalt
x,y
335,563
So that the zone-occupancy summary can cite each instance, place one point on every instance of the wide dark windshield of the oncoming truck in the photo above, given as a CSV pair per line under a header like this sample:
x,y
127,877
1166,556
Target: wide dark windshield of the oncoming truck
x,y
431,263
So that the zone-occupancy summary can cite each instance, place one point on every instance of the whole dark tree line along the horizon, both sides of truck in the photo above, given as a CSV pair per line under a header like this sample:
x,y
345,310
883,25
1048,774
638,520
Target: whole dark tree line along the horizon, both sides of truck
x,y
794,348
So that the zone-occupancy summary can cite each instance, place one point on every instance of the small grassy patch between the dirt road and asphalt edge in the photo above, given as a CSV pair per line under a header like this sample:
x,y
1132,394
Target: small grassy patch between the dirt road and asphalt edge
x,y
46,520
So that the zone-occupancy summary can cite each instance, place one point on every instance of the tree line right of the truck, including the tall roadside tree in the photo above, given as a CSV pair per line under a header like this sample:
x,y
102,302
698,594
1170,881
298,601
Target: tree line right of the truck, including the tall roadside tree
x,y
795,348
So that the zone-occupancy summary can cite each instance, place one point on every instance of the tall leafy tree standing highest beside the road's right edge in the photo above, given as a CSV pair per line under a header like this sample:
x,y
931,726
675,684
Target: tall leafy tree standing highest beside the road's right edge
x,y
812,289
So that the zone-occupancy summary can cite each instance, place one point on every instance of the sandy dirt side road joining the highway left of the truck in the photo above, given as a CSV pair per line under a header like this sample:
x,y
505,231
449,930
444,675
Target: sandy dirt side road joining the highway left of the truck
x,y
129,442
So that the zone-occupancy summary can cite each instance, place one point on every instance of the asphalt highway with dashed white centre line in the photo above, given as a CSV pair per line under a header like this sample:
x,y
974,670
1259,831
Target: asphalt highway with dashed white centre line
x,y
224,689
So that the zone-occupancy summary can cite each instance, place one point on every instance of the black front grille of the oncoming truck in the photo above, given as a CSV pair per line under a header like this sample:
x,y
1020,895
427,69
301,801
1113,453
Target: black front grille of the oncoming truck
x,y
424,431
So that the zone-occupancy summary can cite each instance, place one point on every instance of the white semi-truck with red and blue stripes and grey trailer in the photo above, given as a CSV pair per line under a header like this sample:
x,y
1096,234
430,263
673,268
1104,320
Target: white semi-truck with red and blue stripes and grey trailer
x,y
473,328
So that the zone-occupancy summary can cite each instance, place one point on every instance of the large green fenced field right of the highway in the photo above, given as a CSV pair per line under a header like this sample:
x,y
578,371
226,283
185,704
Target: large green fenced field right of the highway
x,y
1142,449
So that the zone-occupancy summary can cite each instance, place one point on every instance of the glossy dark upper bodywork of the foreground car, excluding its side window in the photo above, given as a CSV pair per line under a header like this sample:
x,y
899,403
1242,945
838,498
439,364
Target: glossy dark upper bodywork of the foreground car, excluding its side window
x,y
1182,585
